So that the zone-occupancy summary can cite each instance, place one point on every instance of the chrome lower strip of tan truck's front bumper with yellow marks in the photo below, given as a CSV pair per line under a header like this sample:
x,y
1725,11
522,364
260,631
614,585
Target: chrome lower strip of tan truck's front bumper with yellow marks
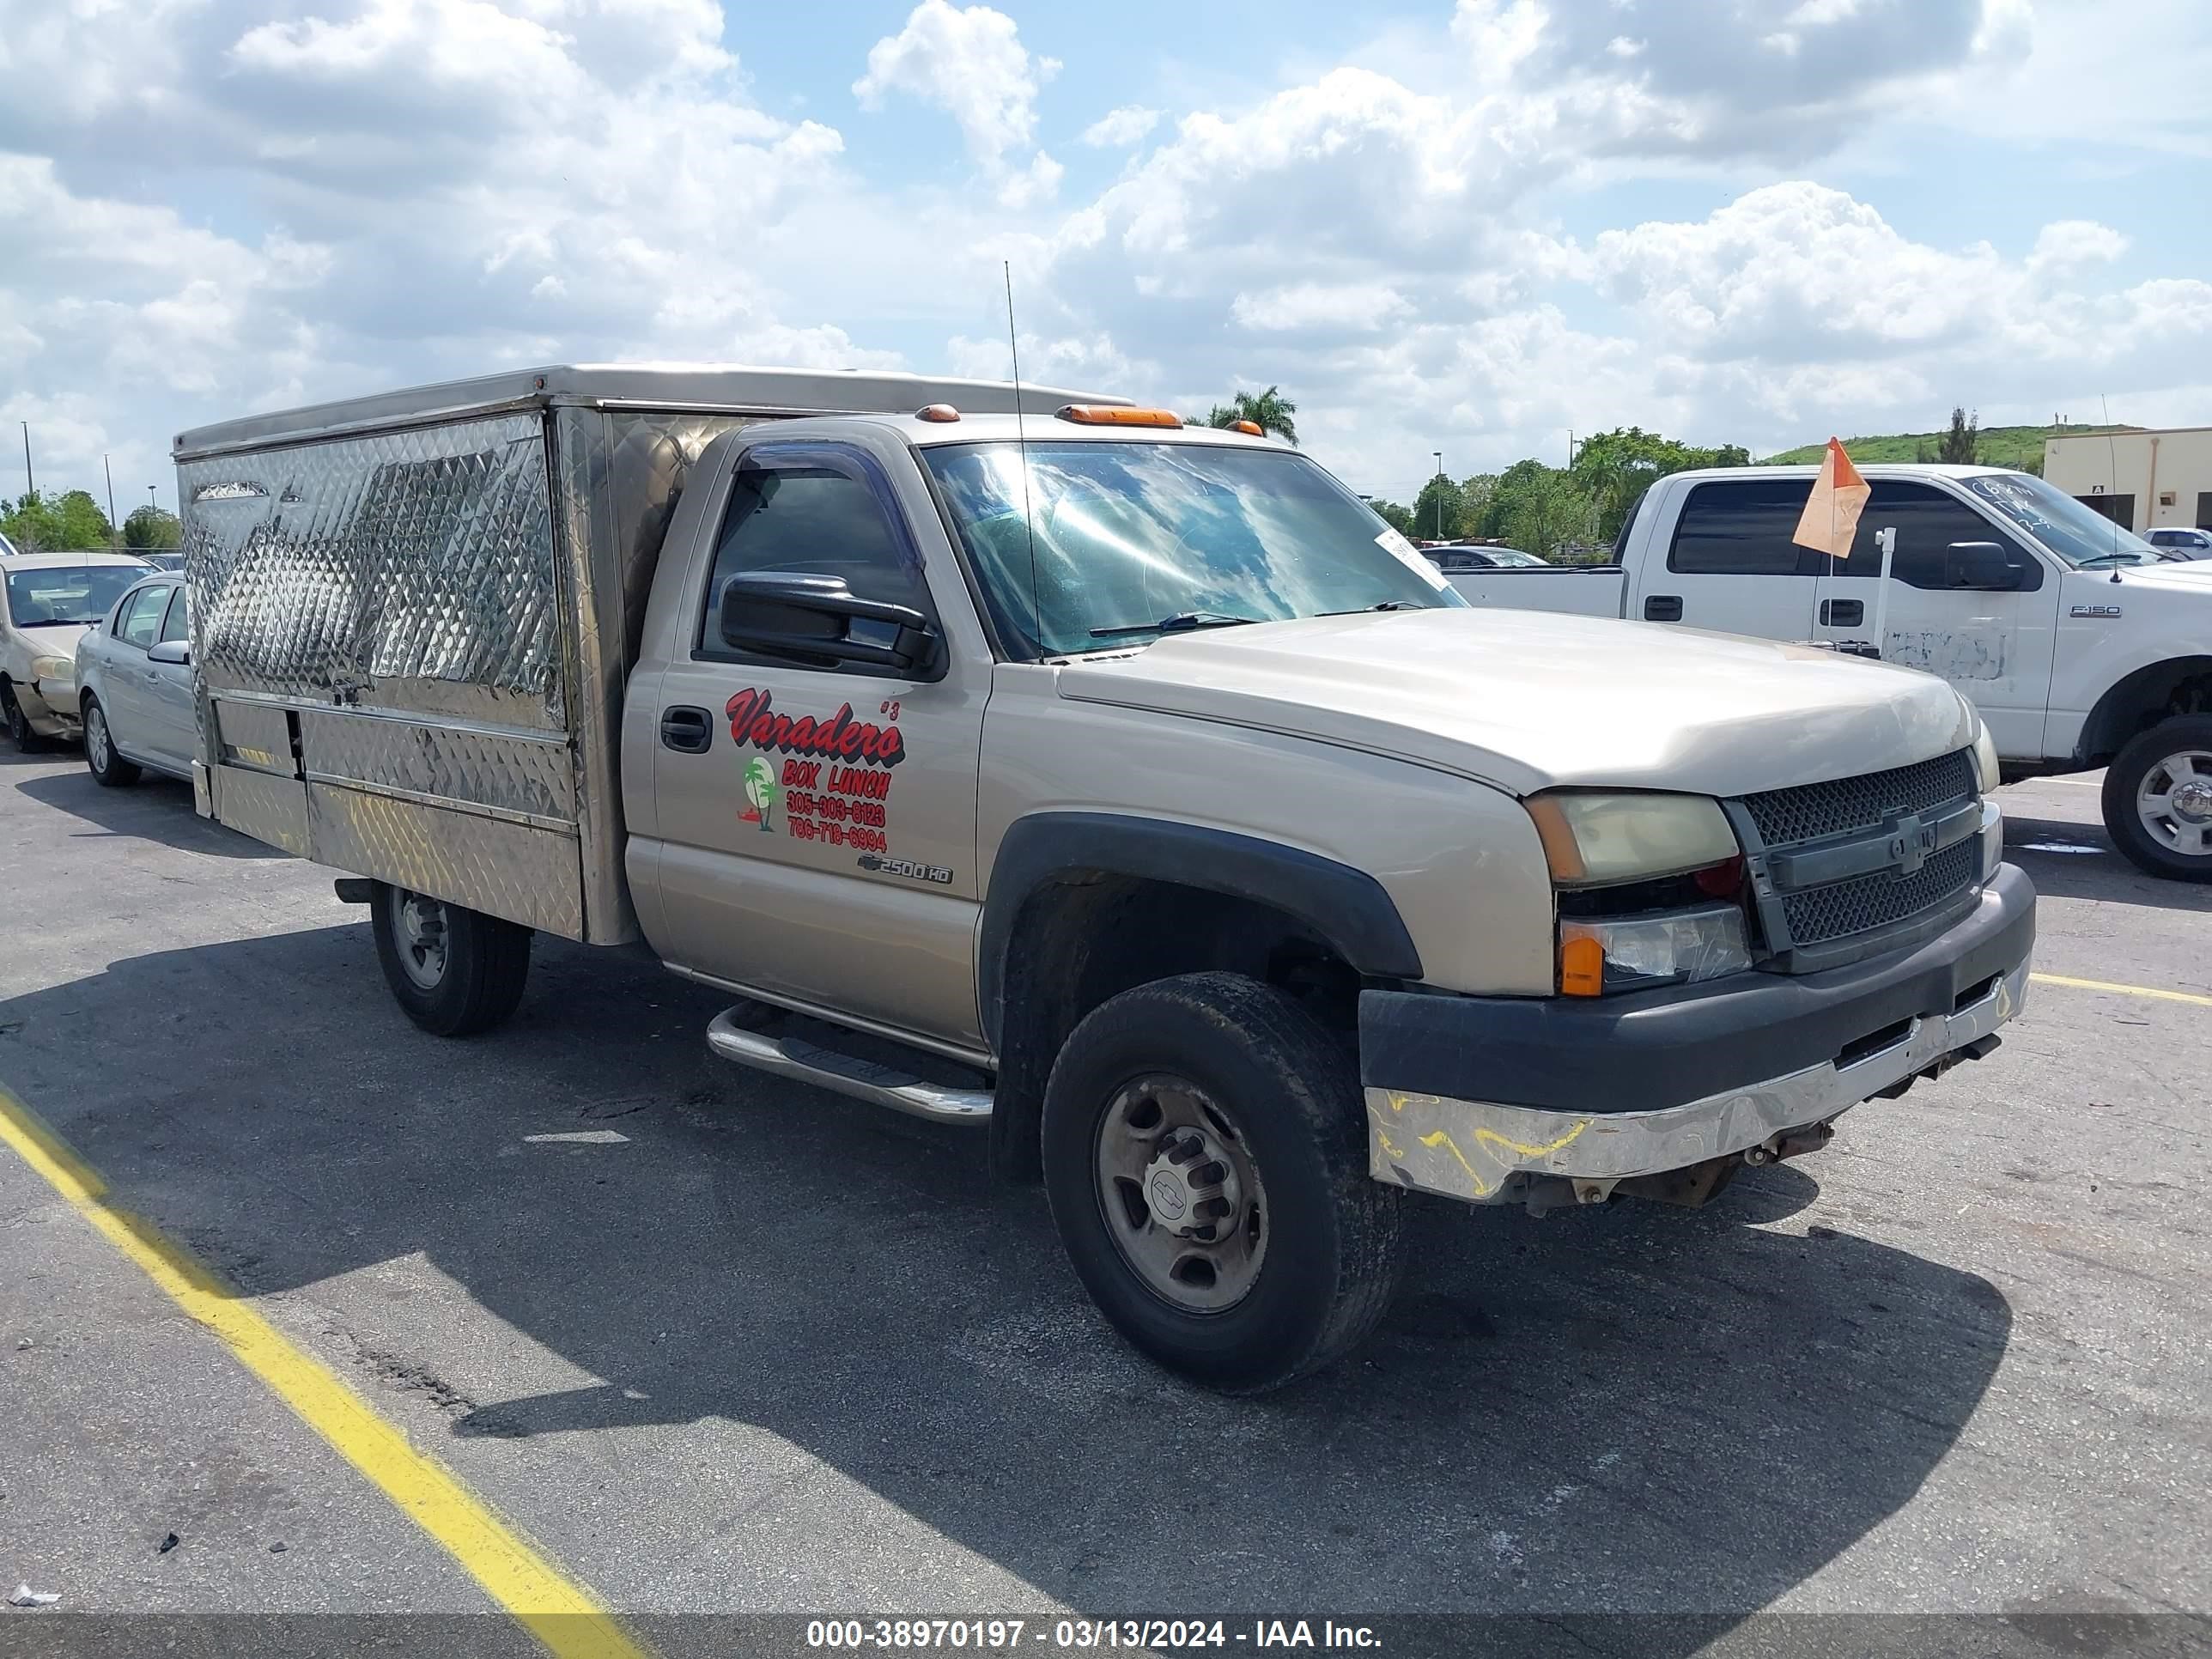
x,y
1472,1149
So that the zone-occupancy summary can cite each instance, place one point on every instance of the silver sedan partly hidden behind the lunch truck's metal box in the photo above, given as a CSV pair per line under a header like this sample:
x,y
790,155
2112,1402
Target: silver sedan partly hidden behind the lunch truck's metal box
x,y
136,685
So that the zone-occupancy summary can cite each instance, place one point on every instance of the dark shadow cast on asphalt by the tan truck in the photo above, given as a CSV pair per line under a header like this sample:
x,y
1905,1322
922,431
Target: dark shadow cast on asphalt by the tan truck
x,y
1611,1410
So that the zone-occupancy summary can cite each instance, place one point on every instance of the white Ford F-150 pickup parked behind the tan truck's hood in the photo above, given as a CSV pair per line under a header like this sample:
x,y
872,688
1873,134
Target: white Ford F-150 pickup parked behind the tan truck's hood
x,y
2076,640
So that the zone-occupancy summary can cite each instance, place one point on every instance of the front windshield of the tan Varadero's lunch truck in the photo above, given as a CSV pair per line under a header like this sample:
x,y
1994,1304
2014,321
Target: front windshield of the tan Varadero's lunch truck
x,y
1147,539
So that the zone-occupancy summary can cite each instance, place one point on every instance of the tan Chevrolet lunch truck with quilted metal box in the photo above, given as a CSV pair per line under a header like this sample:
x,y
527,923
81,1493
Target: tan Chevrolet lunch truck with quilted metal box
x,y
1120,789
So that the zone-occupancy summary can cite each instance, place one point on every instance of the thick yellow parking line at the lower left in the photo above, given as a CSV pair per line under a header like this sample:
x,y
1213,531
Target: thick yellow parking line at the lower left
x,y
517,1576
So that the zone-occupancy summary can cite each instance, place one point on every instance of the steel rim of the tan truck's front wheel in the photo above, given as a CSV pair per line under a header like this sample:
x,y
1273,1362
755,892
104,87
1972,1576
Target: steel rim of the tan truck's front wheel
x,y
1180,1196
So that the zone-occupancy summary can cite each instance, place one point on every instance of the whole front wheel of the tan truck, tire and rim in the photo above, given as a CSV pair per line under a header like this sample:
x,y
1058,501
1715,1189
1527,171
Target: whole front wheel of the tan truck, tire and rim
x,y
1207,1167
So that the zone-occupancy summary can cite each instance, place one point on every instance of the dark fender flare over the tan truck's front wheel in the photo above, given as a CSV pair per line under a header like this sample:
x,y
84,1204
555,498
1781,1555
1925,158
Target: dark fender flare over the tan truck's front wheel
x,y
1344,906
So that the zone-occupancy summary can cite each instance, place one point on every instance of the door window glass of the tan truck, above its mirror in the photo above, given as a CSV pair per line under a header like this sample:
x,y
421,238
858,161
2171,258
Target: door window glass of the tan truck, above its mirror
x,y
811,519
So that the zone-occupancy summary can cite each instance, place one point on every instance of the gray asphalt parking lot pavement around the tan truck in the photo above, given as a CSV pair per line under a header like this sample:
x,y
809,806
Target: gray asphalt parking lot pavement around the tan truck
x,y
720,1344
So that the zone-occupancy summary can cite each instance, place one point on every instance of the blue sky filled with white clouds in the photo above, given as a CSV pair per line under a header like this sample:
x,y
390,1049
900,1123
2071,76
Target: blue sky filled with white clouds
x,y
1468,227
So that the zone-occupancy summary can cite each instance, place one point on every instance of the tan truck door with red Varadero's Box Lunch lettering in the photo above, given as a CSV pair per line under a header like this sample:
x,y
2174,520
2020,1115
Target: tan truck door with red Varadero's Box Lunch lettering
x,y
817,824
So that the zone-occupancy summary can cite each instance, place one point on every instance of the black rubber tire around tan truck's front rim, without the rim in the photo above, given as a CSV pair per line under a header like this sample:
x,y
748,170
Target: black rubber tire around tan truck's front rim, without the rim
x,y
1293,1096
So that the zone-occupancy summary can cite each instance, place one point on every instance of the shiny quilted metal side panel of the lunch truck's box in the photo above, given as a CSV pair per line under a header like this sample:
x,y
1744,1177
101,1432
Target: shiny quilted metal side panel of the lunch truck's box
x,y
382,632
